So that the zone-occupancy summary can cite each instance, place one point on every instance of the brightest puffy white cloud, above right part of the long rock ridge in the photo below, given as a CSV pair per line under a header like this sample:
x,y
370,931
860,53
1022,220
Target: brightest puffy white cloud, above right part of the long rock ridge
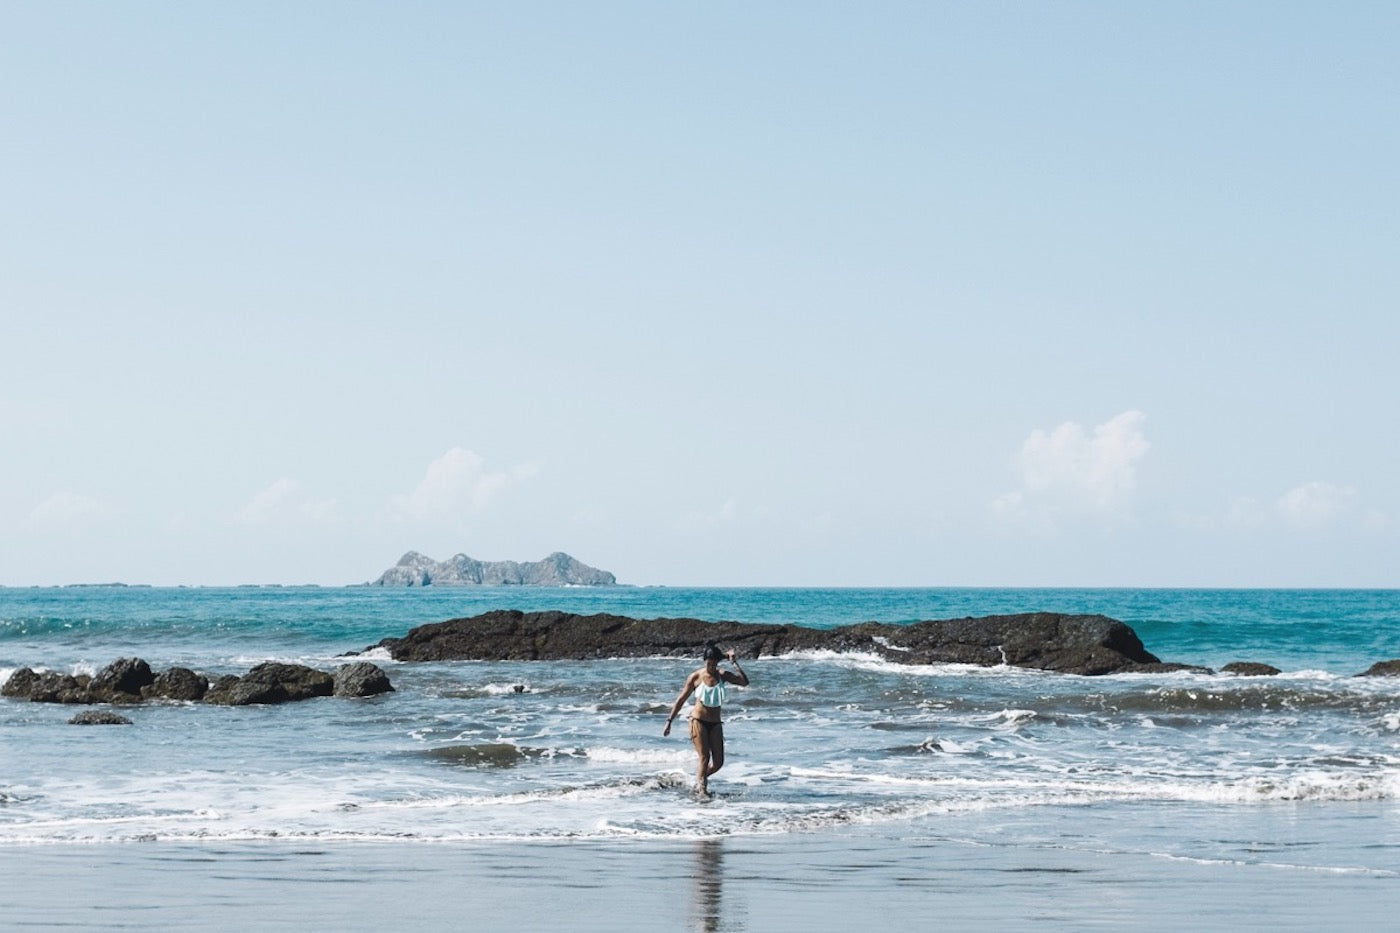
x,y
1073,471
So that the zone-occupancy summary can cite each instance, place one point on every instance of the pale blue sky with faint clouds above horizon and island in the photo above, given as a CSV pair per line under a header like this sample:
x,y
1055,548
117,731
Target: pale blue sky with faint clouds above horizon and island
x,y
703,295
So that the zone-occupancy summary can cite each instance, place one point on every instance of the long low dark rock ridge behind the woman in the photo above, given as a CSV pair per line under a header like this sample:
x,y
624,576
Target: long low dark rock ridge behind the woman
x,y
1041,641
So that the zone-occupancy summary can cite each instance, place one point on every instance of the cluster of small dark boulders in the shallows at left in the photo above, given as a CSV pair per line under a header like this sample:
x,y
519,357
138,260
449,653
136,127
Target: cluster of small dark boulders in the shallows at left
x,y
131,680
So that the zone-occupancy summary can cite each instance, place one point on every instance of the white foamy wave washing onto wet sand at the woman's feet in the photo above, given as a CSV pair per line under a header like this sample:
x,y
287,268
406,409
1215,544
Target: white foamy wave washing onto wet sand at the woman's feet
x,y
660,806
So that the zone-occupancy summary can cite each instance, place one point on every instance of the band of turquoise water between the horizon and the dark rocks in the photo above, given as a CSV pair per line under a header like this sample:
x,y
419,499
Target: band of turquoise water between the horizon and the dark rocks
x,y
1339,631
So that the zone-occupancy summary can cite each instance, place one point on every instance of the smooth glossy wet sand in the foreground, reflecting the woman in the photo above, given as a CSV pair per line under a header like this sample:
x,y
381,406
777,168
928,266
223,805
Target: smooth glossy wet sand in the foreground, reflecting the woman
x,y
814,882
